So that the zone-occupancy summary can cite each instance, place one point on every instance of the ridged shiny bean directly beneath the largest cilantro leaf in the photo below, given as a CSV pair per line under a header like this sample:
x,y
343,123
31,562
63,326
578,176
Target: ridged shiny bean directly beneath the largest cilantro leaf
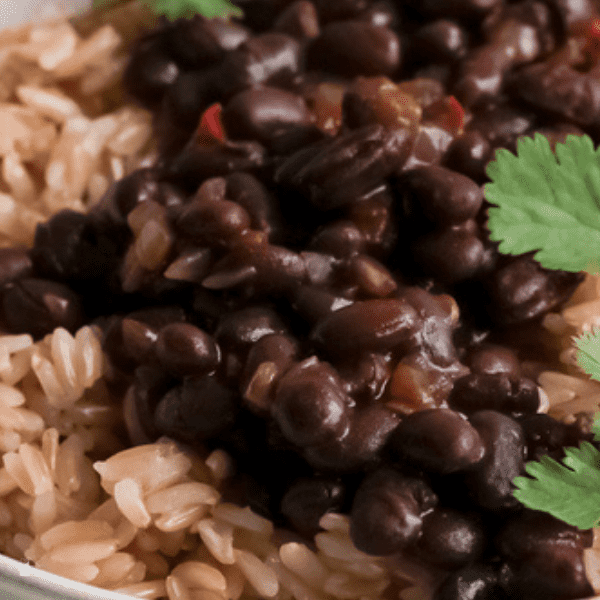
x,y
523,290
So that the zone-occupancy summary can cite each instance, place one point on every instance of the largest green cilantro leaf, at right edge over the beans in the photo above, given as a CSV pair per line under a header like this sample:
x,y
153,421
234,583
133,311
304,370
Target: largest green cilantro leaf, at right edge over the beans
x,y
548,202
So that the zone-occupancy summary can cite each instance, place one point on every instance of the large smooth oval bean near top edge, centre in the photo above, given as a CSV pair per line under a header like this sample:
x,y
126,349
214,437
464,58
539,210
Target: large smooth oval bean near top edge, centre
x,y
354,48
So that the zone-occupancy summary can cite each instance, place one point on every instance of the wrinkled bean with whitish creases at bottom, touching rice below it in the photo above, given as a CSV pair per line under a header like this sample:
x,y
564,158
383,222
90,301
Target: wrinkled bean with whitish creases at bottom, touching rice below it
x,y
387,512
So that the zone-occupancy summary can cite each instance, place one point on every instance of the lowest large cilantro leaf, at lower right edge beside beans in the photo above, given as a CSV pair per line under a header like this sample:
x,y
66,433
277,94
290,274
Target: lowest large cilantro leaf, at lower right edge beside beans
x,y
569,491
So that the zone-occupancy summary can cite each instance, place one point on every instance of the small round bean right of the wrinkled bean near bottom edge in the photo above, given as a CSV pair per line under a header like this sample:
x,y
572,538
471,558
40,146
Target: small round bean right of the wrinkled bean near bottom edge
x,y
450,538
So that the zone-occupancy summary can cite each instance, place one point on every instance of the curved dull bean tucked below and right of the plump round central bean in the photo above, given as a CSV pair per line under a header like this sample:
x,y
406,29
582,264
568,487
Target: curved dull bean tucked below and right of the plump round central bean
x,y
361,448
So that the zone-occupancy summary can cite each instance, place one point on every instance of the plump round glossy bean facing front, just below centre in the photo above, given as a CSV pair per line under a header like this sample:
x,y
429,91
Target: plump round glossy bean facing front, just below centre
x,y
311,405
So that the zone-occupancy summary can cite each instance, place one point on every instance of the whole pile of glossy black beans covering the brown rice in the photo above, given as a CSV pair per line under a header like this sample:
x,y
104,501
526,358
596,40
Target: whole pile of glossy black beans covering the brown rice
x,y
315,290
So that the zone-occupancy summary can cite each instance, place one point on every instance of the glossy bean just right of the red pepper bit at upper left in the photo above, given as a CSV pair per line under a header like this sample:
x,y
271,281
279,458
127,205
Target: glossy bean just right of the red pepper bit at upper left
x,y
264,113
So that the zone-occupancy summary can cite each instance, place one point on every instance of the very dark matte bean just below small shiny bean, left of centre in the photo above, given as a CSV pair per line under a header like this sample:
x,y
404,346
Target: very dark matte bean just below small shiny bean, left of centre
x,y
196,410
